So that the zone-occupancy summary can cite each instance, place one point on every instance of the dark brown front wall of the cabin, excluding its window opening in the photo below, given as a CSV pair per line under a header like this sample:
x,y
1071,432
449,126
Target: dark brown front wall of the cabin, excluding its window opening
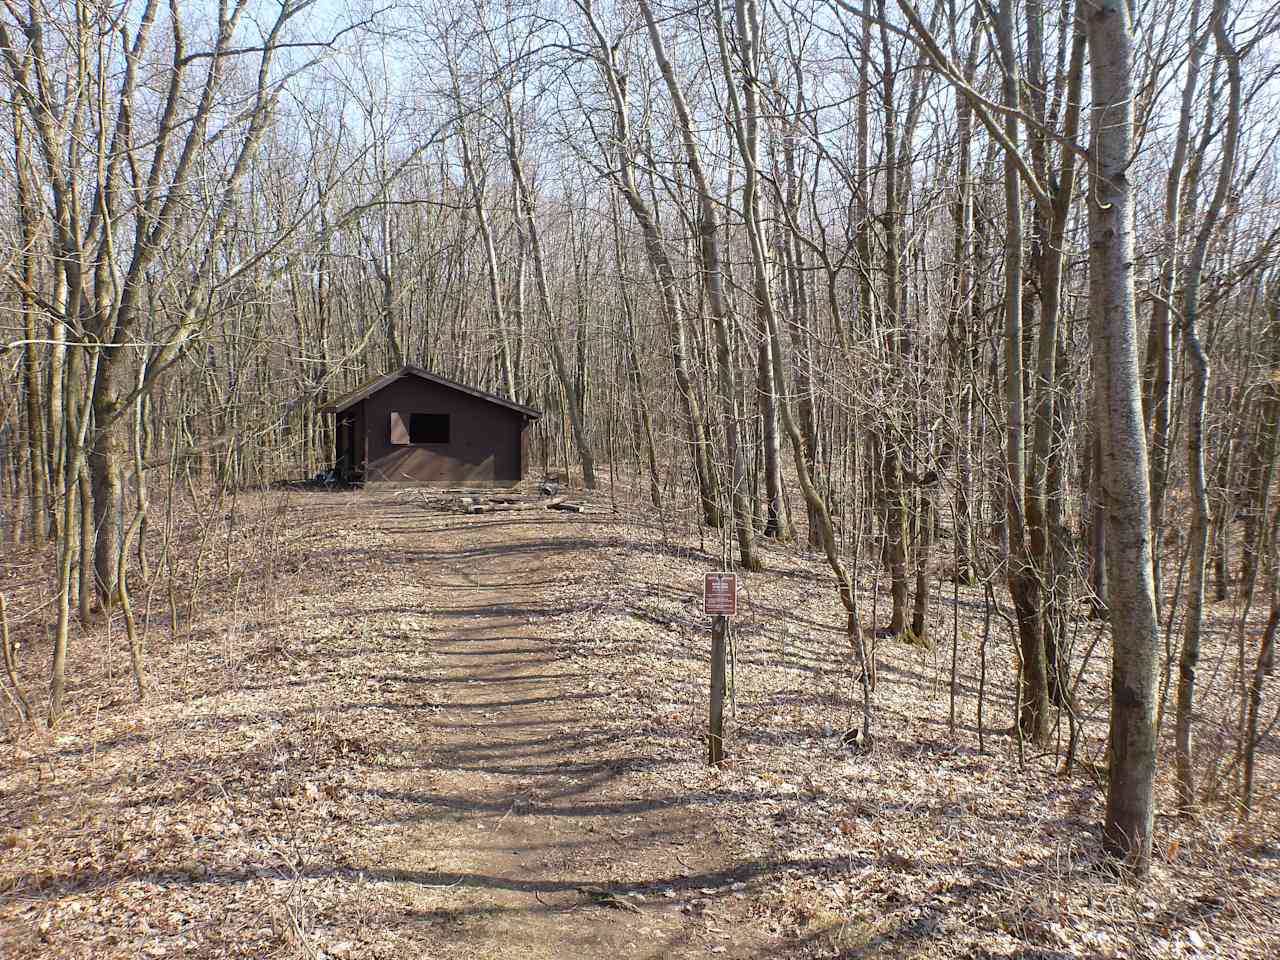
x,y
484,438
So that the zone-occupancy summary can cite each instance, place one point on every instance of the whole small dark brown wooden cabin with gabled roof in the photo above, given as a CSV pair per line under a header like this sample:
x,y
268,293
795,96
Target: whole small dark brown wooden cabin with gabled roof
x,y
414,427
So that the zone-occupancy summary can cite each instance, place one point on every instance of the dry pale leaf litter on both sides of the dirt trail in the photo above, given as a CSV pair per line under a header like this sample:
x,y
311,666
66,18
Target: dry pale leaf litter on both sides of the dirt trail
x,y
241,810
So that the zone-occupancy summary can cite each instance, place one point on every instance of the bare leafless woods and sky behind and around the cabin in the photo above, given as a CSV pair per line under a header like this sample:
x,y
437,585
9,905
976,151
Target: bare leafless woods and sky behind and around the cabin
x,y
977,291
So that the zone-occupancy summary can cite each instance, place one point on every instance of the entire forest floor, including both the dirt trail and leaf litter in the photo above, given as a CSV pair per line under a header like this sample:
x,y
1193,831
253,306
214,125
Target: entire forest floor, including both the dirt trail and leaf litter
x,y
388,733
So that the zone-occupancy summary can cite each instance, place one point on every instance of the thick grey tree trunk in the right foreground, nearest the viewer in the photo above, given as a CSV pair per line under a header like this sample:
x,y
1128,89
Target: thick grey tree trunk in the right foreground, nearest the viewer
x,y
1118,405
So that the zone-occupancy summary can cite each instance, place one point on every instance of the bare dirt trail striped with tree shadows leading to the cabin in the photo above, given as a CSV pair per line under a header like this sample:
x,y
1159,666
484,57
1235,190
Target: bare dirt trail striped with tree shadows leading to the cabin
x,y
525,838
